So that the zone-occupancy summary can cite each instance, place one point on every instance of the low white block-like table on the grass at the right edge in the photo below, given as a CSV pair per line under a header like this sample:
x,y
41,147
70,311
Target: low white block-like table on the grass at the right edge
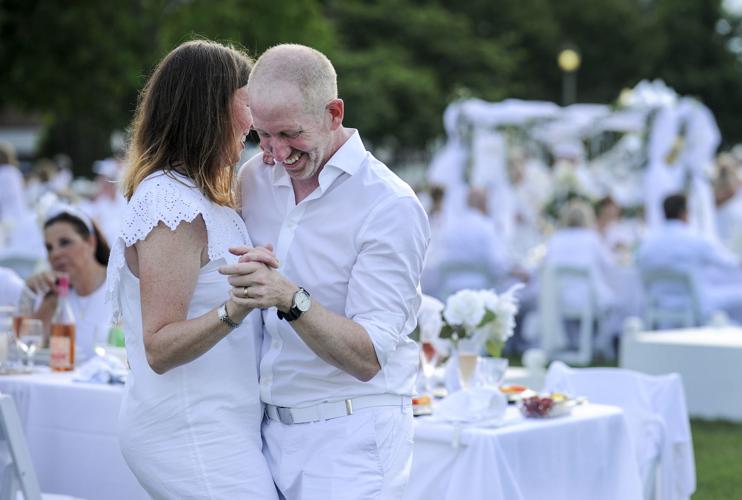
x,y
708,360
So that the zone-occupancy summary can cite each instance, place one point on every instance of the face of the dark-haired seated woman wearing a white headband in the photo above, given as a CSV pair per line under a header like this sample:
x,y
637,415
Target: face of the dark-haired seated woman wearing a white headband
x,y
68,251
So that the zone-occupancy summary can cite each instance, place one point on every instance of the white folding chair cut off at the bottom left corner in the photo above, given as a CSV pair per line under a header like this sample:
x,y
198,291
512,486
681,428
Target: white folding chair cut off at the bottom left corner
x,y
17,476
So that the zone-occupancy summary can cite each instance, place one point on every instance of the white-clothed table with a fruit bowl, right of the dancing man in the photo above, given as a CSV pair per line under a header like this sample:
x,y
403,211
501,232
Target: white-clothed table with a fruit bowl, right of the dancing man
x,y
586,455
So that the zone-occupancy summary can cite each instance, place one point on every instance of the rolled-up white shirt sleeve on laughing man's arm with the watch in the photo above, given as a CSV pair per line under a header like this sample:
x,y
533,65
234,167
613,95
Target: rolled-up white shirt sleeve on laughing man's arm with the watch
x,y
384,291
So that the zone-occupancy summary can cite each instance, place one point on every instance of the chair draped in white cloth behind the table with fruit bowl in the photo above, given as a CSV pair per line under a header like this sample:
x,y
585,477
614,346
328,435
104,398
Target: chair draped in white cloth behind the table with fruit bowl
x,y
655,411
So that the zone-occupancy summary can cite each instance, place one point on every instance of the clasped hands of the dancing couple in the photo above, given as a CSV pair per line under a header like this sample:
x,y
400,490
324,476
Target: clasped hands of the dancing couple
x,y
255,281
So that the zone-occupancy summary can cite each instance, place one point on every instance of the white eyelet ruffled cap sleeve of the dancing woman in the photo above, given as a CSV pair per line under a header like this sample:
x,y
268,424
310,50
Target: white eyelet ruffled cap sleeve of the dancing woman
x,y
162,198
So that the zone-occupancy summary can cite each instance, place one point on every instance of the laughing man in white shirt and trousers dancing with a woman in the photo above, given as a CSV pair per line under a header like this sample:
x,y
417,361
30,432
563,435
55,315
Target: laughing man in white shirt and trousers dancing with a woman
x,y
337,367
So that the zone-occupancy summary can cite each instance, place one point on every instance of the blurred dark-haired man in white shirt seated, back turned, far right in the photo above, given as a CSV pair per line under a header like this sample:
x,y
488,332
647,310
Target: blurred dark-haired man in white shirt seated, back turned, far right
x,y
673,245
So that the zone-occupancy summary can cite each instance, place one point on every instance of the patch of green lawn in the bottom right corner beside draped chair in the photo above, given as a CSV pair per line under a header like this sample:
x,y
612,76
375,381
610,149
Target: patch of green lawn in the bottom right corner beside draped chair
x,y
718,451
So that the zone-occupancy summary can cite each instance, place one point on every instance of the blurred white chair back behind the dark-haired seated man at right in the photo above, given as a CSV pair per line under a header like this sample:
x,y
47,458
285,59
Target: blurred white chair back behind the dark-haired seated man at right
x,y
671,299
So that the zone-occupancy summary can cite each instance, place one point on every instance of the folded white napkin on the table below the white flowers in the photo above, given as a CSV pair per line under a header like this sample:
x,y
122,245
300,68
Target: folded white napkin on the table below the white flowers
x,y
472,405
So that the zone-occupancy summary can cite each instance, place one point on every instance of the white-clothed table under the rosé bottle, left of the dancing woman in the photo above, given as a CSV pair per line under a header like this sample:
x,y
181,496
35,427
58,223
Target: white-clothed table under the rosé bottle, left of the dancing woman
x,y
71,432
